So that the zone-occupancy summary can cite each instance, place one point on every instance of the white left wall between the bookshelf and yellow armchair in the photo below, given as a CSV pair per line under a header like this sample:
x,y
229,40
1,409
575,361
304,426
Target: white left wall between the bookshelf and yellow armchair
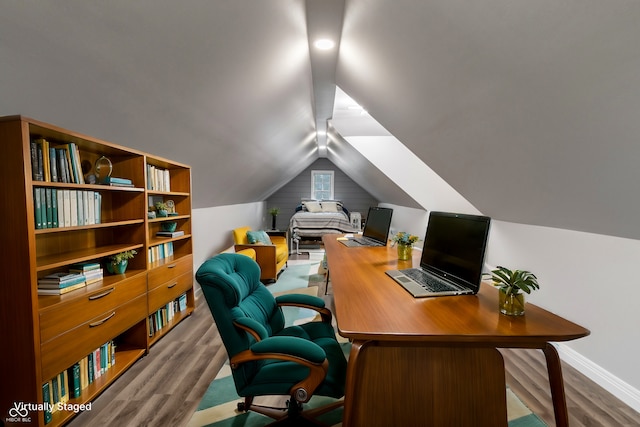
x,y
212,227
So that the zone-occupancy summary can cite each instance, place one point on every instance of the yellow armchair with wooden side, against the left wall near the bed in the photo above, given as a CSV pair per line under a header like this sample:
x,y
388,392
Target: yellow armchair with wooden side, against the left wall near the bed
x,y
271,256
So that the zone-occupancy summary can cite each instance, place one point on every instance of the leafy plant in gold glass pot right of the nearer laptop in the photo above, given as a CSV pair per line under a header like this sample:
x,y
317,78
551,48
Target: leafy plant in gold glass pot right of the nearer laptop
x,y
513,284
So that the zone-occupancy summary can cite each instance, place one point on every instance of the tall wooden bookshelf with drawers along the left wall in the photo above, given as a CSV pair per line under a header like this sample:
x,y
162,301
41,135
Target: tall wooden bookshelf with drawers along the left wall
x,y
43,336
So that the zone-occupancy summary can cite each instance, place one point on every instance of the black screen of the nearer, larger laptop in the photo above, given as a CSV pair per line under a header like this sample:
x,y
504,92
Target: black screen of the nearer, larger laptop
x,y
455,246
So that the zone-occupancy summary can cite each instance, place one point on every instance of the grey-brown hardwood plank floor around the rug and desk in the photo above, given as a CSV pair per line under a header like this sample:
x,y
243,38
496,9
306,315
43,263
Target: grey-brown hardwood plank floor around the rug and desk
x,y
165,387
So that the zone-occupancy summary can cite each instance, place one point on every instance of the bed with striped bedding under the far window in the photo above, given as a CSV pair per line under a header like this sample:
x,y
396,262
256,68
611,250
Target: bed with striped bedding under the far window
x,y
314,219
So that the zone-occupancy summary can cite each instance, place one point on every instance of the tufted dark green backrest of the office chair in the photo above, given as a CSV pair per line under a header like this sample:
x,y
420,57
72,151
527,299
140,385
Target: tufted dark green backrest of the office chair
x,y
231,285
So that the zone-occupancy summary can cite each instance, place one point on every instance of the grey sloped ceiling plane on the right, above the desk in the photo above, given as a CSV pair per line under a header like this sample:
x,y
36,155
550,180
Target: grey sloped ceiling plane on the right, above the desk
x,y
529,109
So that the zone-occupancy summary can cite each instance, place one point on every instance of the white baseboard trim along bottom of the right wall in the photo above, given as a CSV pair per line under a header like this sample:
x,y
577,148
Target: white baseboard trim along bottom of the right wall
x,y
614,385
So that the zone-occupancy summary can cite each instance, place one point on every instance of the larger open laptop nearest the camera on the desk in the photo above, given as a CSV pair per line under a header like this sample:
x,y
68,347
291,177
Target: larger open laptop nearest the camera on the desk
x,y
452,257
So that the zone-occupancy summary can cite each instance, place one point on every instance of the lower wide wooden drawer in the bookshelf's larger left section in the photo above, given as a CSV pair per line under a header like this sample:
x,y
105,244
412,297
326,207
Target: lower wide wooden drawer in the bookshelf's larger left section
x,y
65,350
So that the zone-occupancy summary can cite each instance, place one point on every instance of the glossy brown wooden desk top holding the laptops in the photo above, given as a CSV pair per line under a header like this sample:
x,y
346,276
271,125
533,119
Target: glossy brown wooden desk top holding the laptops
x,y
370,305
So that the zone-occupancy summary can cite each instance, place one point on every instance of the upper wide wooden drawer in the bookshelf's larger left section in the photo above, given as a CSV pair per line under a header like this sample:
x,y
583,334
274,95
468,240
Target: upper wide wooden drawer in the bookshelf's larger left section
x,y
68,315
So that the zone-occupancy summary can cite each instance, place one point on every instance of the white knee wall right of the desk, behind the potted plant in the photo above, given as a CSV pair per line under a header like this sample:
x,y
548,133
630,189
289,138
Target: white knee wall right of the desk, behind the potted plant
x,y
590,279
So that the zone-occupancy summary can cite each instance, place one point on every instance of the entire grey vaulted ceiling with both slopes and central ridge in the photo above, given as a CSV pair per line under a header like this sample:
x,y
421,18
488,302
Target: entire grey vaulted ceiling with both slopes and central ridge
x,y
529,111
